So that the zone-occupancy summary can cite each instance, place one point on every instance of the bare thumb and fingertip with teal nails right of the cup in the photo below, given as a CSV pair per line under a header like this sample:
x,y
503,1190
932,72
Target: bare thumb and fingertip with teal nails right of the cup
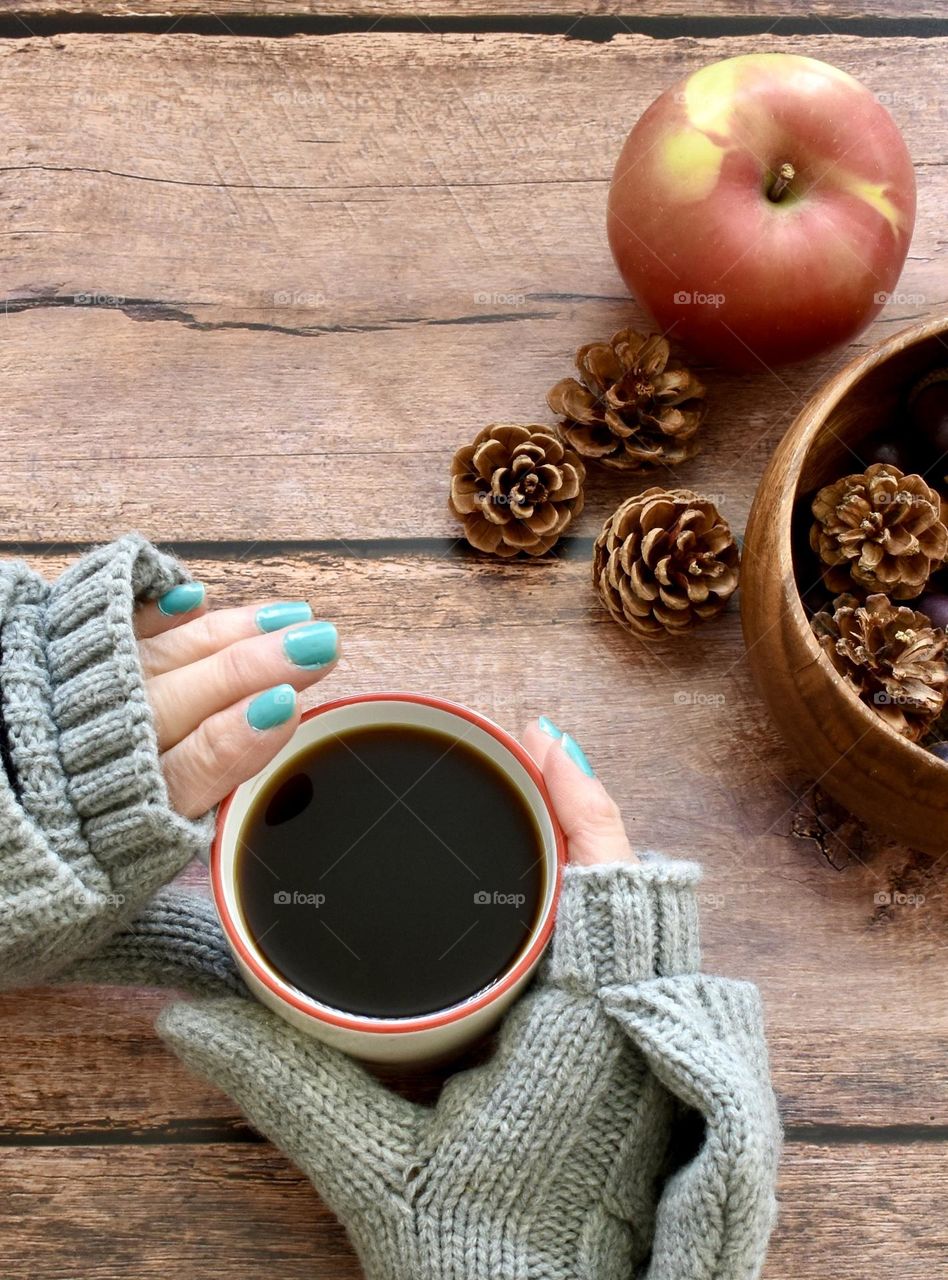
x,y
588,815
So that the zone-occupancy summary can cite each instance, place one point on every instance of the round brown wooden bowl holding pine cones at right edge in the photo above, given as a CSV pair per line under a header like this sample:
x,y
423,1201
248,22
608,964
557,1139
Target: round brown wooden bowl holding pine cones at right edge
x,y
891,784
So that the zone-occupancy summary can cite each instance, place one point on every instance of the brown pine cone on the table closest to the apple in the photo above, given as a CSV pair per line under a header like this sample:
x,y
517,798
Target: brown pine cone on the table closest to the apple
x,y
634,410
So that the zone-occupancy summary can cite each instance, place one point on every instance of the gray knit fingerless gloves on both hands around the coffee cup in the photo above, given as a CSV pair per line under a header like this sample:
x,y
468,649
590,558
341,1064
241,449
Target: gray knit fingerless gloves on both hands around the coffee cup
x,y
625,1126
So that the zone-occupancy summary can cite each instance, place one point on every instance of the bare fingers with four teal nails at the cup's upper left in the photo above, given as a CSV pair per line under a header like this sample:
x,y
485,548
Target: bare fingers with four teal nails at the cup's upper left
x,y
223,687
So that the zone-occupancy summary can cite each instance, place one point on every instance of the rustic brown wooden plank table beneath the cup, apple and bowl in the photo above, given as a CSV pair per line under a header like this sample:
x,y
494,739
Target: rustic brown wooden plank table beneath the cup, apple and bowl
x,y
265,267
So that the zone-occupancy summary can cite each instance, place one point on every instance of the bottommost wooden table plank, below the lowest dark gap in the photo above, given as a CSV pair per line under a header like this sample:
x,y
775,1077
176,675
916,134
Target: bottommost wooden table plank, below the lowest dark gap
x,y
242,1213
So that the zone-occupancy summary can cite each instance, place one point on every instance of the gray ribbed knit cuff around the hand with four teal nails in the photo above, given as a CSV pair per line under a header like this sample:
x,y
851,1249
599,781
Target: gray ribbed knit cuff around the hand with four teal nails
x,y
86,829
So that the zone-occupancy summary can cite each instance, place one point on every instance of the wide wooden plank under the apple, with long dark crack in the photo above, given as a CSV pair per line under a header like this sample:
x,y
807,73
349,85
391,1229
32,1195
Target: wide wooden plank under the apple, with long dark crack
x,y
314,267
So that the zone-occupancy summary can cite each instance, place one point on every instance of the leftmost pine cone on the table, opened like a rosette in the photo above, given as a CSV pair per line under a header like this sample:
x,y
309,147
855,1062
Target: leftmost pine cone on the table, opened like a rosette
x,y
516,490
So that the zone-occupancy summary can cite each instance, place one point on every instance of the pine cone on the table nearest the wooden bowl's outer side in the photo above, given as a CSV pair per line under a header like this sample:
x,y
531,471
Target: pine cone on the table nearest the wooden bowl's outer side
x,y
665,561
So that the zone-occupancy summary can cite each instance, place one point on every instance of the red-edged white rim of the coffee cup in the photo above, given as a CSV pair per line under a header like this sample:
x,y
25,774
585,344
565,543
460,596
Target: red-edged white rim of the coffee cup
x,y
425,1022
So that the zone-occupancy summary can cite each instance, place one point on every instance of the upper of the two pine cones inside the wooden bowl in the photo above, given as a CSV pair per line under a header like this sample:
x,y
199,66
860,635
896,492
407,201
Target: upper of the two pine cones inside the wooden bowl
x,y
880,529
